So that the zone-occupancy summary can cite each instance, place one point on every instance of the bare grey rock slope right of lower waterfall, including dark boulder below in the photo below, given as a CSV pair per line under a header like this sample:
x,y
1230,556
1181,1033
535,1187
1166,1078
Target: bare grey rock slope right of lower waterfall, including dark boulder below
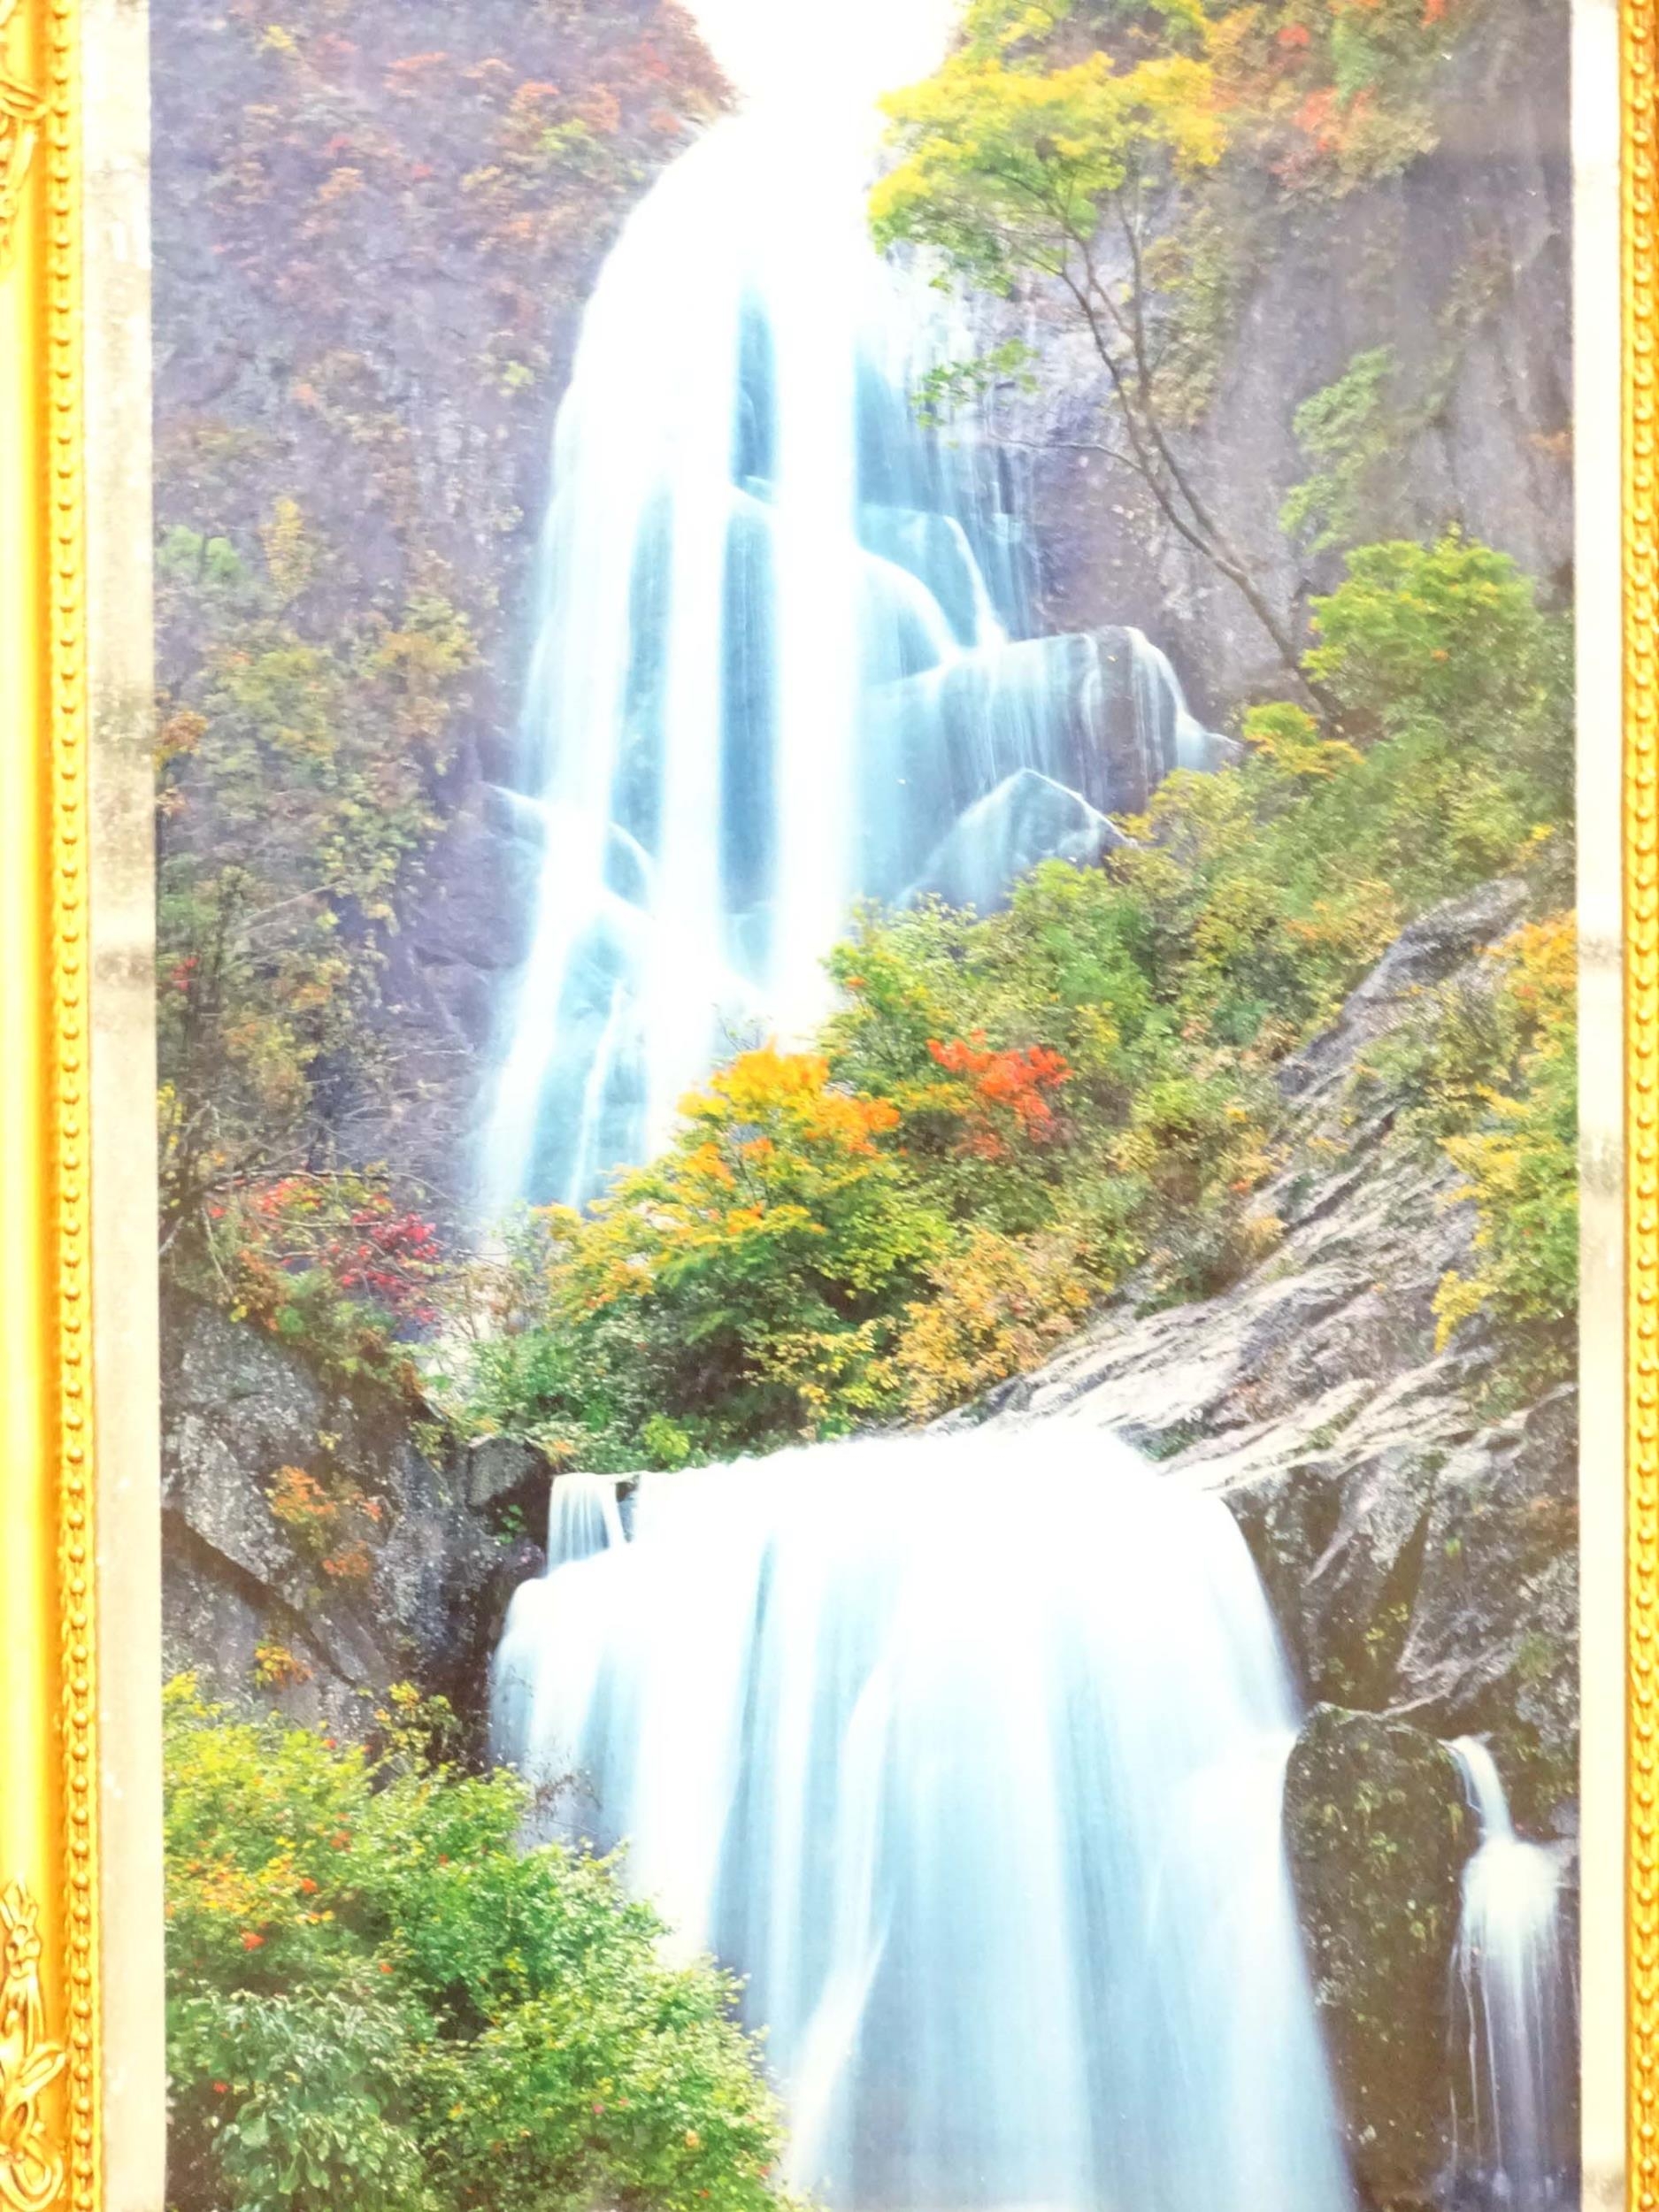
x,y
1419,1554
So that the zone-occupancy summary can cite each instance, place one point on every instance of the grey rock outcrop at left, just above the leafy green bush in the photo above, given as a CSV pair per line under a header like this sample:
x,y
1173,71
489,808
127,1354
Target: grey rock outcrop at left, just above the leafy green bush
x,y
324,1543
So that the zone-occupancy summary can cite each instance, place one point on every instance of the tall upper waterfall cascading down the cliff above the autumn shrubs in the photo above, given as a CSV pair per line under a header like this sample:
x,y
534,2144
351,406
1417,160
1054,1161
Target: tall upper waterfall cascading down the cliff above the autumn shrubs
x,y
784,647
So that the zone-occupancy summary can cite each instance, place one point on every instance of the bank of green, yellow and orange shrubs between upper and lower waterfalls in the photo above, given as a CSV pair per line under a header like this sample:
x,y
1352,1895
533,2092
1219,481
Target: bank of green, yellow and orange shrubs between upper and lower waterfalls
x,y
1019,1114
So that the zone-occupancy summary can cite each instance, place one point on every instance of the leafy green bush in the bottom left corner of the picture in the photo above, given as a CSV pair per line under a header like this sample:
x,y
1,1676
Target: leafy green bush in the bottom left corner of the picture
x,y
382,2005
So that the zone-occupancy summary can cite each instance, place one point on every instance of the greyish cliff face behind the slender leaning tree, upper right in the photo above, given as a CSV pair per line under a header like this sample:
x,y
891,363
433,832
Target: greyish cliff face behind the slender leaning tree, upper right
x,y
1459,267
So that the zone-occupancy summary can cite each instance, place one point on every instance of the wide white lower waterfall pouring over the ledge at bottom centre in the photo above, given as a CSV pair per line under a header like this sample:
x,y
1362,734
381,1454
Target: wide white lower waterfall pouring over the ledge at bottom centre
x,y
968,1753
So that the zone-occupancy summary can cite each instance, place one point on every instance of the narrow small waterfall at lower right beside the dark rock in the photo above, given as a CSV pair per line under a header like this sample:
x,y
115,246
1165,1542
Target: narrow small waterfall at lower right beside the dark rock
x,y
1514,2003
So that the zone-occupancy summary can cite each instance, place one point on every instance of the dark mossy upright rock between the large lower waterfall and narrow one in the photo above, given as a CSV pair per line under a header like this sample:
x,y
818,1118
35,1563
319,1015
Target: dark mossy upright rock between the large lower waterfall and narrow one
x,y
1379,1835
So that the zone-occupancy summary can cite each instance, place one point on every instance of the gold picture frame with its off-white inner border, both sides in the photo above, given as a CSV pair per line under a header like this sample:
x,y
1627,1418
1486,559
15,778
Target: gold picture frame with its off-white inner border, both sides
x,y
83,2058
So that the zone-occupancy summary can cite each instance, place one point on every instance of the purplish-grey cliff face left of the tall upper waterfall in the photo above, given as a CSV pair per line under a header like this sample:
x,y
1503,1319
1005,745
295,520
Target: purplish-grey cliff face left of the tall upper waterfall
x,y
375,236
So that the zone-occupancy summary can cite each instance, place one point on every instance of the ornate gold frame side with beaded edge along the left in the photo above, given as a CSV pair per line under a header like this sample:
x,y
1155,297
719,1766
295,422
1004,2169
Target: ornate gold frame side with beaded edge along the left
x,y
50,1996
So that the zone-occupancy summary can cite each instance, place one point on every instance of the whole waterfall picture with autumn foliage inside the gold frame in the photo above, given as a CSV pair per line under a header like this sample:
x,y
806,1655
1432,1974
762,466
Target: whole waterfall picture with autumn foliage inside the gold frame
x,y
868,1085
